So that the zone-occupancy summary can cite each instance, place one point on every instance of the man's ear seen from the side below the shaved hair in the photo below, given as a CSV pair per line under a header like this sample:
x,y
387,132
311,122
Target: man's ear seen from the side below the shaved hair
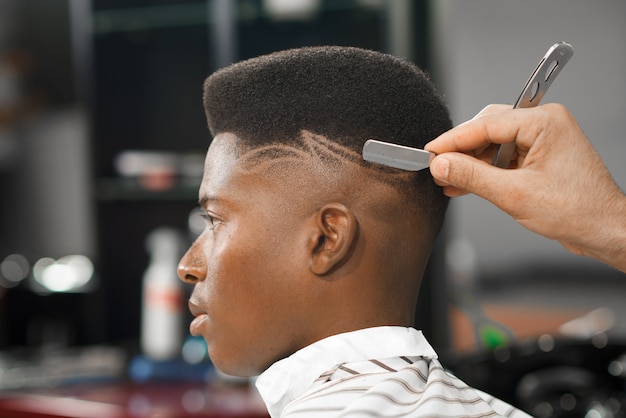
x,y
333,237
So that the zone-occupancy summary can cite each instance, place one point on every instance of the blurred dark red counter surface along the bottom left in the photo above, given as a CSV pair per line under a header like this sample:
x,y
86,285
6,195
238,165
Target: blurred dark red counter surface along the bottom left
x,y
131,400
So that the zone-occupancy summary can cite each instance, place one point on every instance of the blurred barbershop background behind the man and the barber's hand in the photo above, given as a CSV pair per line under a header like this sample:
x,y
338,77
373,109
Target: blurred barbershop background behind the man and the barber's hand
x,y
102,144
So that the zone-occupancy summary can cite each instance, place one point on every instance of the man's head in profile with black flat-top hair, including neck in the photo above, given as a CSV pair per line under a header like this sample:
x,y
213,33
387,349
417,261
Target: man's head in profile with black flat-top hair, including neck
x,y
305,238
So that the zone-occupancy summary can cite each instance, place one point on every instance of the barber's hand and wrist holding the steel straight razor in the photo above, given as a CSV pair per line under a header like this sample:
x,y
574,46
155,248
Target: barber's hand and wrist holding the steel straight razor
x,y
556,185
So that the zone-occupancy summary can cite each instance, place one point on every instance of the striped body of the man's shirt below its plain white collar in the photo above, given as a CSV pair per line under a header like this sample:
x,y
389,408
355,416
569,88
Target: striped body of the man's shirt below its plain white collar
x,y
420,389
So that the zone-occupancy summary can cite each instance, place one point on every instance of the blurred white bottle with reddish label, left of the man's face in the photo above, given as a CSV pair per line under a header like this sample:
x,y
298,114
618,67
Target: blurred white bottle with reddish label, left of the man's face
x,y
163,298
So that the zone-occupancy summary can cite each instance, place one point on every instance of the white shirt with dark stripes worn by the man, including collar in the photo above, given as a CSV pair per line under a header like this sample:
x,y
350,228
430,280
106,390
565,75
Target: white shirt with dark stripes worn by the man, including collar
x,y
374,372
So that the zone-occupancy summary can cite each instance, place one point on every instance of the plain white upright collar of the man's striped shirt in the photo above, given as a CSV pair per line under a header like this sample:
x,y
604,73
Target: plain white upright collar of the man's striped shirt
x,y
291,377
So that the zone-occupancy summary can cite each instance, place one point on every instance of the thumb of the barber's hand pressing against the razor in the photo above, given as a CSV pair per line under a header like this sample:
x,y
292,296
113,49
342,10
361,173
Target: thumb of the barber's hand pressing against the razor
x,y
469,174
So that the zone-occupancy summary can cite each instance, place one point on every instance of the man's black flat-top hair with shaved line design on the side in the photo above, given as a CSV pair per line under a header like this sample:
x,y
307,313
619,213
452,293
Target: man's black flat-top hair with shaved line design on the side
x,y
347,95
